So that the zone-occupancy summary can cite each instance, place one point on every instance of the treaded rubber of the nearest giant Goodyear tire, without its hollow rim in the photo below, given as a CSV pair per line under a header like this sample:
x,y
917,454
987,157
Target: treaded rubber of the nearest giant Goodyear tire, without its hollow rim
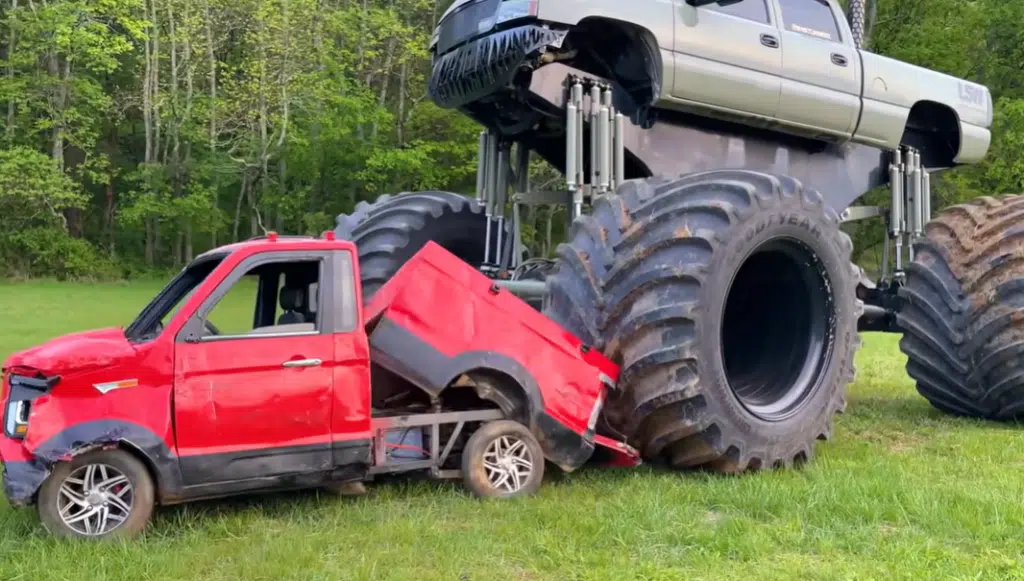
x,y
650,310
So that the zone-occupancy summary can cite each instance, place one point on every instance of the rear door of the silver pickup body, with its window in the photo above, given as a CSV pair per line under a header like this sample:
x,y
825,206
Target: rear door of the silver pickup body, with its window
x,y
821,68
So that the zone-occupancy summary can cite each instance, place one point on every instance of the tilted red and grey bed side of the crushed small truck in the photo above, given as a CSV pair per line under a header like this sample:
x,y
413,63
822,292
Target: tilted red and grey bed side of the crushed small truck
x,y
439,319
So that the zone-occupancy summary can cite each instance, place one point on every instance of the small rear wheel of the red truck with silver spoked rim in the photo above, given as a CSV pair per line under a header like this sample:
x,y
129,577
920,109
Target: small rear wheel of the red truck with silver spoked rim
x,y
483,444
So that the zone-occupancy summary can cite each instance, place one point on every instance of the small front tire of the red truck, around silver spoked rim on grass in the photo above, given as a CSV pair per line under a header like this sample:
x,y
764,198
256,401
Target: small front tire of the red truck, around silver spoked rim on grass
x,y
142,503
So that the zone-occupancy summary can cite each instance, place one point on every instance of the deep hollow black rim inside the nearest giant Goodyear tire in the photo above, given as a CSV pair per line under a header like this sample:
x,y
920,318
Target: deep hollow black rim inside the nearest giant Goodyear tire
x,y
779,326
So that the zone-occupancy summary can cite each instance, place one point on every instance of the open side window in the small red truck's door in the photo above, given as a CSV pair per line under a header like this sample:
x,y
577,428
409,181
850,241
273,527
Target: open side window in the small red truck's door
x,y
270,299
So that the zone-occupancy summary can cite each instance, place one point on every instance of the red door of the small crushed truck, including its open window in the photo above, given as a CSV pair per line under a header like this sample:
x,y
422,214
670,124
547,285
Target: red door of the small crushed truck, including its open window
x,y
254,372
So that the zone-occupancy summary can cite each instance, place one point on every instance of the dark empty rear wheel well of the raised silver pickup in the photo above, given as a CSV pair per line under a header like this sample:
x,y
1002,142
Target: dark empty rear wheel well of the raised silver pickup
x,y
933,130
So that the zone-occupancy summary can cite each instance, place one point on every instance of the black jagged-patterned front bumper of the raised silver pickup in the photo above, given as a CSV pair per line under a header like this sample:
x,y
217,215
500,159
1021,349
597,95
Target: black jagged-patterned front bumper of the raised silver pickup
x,y
483,67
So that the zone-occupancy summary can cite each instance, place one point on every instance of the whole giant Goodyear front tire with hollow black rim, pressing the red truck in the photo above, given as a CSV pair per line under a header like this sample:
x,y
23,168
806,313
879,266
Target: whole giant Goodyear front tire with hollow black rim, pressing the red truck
x,y
729,299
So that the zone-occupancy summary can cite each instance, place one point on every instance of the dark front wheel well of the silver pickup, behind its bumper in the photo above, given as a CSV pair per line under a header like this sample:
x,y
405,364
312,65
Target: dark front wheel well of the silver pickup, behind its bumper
x,y
623,53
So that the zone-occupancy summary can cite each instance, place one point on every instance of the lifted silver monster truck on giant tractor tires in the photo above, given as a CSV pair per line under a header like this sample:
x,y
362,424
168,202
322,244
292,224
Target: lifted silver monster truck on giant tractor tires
x,y
718,147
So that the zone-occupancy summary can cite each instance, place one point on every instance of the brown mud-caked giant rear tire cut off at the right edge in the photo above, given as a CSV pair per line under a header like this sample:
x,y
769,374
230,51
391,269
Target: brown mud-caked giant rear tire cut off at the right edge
x,y
962,310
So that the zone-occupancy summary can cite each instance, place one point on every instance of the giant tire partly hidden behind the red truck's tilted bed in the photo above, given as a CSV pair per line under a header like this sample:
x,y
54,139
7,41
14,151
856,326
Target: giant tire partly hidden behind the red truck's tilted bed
x,y
389,232
